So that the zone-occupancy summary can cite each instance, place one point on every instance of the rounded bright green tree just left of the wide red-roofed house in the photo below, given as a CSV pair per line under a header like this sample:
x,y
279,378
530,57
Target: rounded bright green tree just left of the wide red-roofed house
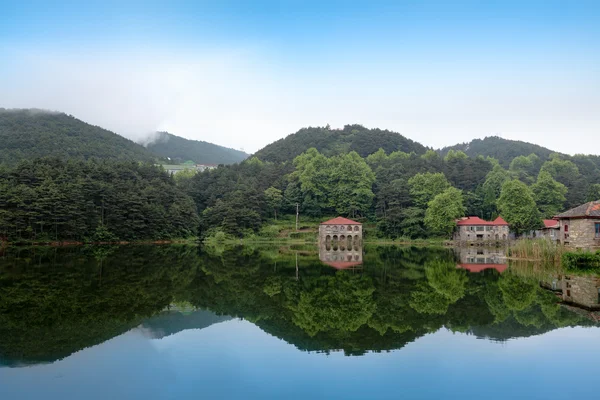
x,y
444,210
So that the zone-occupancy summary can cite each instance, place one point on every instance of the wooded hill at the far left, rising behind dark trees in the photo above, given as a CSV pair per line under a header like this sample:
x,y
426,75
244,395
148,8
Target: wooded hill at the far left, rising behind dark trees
x,y
27,134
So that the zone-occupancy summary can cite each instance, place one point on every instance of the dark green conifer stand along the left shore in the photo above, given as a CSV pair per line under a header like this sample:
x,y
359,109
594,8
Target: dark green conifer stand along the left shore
x,y
51,199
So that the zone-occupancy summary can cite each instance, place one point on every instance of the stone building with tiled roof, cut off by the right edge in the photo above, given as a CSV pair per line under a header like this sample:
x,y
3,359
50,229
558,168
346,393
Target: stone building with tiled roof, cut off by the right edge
x,y
580,226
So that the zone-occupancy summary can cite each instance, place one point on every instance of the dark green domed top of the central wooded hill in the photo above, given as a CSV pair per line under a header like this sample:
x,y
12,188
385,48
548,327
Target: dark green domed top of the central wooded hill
x,y
337,141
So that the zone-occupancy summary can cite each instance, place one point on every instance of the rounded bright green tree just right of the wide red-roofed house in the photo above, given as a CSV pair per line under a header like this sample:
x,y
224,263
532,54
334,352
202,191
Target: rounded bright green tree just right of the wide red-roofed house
x,y
518,208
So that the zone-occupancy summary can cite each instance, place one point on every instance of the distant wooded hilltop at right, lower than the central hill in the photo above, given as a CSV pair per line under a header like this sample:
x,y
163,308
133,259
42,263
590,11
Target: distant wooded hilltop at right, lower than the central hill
x,y
503,150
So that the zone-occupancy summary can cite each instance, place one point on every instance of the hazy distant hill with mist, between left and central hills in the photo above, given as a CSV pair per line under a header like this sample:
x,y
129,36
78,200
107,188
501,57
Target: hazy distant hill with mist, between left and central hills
x,y
180,150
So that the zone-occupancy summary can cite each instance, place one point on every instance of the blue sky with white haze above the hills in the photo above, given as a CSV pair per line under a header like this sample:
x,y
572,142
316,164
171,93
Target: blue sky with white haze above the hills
x,y
243,74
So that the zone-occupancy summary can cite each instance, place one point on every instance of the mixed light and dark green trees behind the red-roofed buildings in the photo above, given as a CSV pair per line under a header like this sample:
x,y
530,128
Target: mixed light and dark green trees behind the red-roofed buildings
x,y
405,194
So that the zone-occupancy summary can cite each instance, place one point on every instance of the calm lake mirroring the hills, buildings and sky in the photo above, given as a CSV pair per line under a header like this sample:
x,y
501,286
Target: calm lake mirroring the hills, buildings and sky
x,y
177,322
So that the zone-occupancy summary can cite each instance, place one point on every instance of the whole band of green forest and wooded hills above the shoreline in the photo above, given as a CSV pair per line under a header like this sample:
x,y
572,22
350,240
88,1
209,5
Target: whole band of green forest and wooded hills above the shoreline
x,y
378,177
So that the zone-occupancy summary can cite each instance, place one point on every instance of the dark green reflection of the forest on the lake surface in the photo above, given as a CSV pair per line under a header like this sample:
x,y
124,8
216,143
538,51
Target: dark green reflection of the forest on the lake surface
x,y
54,302
